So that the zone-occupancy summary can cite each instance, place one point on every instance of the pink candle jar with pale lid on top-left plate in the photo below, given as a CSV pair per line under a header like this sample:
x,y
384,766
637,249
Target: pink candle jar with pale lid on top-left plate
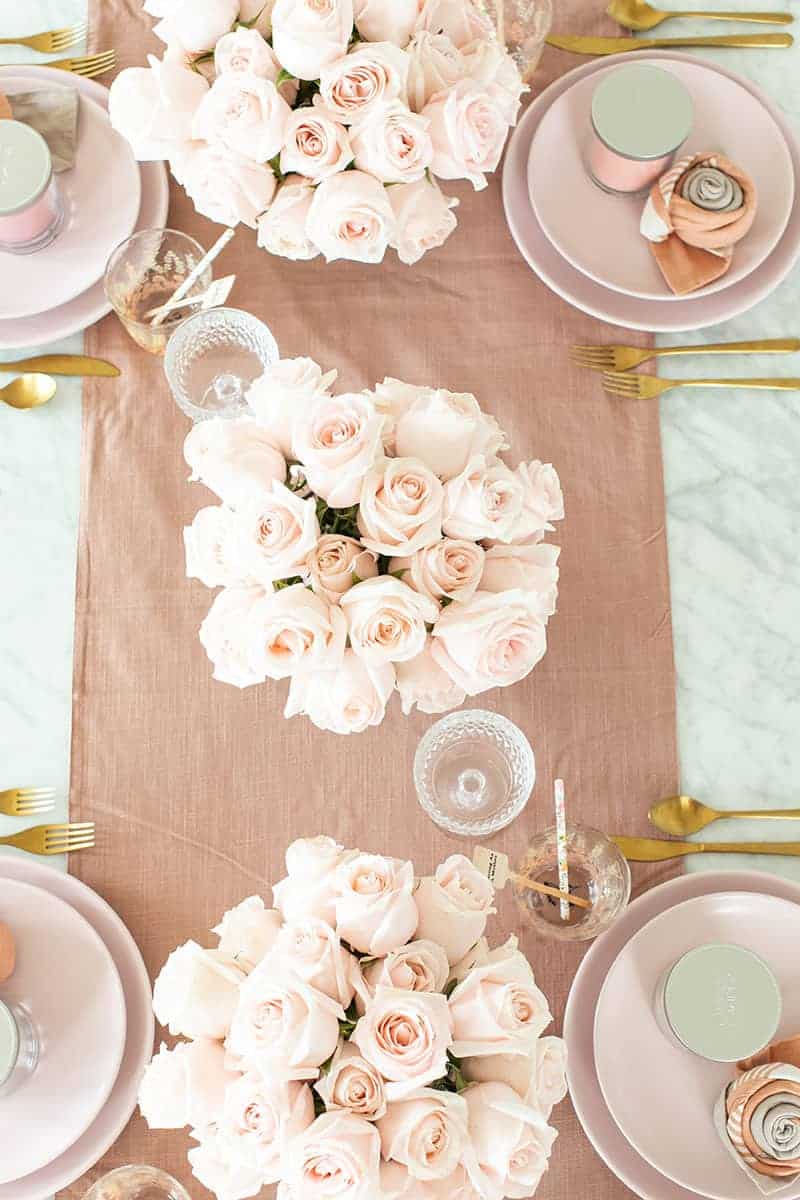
x,y
31,207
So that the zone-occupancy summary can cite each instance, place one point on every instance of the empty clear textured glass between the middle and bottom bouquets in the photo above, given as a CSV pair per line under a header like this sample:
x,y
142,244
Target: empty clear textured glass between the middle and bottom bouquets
x,y
474,772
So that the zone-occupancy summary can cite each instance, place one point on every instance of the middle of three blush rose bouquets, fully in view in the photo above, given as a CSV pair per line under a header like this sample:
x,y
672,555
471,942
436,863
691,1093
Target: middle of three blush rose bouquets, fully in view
x,y
369,542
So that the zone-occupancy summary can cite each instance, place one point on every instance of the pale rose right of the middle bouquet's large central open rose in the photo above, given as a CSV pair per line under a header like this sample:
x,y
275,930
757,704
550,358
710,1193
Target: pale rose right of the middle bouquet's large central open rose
x,y
485,501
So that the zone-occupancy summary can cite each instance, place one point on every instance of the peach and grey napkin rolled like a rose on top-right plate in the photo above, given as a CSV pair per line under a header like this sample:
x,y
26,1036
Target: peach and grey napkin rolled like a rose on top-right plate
x,y
694,218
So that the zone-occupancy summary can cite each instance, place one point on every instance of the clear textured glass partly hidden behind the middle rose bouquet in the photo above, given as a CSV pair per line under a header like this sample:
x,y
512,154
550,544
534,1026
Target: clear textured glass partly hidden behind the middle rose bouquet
x,y
213,359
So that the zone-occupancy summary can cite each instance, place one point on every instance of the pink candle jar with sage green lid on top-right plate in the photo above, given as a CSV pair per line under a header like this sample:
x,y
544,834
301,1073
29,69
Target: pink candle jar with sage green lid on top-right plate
x,y
641,116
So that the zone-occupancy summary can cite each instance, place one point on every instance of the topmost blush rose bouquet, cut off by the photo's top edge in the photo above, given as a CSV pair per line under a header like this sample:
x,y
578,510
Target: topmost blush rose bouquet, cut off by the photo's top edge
x,y
324,124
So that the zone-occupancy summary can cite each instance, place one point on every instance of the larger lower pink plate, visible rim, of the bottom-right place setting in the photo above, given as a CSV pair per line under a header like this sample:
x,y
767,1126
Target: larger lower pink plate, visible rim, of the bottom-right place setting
x,y
580,1017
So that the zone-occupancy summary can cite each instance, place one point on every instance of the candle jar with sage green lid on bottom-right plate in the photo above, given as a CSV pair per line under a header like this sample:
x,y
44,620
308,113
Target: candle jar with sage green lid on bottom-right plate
x,y
720,1001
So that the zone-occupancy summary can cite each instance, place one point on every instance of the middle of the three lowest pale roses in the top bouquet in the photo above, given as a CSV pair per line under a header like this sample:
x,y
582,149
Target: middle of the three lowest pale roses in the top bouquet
x,y
351,218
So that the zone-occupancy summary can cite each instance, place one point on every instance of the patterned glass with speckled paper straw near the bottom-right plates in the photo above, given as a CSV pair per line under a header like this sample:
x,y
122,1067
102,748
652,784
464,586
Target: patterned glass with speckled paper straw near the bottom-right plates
x,y
598,874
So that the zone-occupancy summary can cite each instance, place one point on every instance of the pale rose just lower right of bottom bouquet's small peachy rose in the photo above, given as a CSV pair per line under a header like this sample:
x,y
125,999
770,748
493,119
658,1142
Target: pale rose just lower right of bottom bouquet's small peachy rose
x,y
426,1132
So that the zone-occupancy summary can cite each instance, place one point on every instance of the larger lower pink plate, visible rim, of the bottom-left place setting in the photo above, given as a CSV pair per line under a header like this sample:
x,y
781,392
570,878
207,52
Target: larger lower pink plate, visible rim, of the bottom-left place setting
x,y
104,1132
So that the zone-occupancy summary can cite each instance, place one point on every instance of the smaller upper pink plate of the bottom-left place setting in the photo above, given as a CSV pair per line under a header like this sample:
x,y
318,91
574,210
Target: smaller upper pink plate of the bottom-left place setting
x,y
68,981
